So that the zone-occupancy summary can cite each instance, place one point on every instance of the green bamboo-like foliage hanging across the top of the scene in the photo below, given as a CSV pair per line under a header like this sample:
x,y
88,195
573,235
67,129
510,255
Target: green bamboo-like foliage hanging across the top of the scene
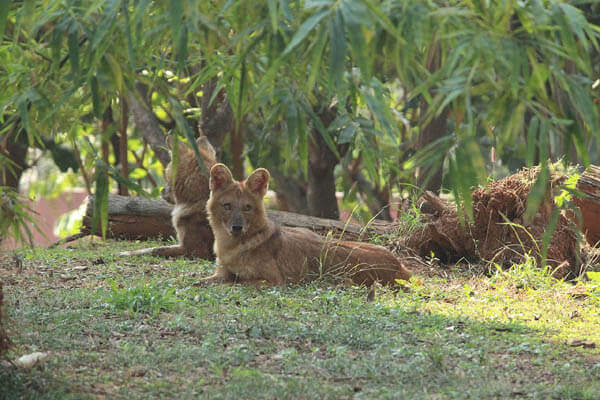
x,y
513,77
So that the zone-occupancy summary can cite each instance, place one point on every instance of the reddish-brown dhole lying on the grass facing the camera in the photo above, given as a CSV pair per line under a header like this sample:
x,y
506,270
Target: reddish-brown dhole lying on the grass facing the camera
x,y
250,249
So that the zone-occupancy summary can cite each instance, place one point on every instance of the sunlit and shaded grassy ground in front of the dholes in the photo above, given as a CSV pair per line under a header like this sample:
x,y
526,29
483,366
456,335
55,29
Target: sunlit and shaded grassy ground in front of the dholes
x,y
137,328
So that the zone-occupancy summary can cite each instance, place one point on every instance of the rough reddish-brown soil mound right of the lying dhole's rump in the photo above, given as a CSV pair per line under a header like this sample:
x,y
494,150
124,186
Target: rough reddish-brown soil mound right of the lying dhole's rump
x,y
498,232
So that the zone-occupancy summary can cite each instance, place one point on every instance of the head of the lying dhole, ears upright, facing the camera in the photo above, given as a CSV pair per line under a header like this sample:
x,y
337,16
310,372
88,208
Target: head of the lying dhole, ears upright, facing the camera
x,y
236,207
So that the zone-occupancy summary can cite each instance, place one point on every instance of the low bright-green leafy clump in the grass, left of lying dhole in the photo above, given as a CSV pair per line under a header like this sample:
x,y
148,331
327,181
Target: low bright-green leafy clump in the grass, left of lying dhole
x,y
145,298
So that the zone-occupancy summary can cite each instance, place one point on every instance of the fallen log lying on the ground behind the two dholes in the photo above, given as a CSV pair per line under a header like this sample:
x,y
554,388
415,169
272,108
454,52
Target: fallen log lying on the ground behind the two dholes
x,y
139,218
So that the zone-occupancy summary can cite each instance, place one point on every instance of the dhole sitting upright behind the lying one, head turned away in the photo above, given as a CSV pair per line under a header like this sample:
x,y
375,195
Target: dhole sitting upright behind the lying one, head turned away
x,y
189,191
